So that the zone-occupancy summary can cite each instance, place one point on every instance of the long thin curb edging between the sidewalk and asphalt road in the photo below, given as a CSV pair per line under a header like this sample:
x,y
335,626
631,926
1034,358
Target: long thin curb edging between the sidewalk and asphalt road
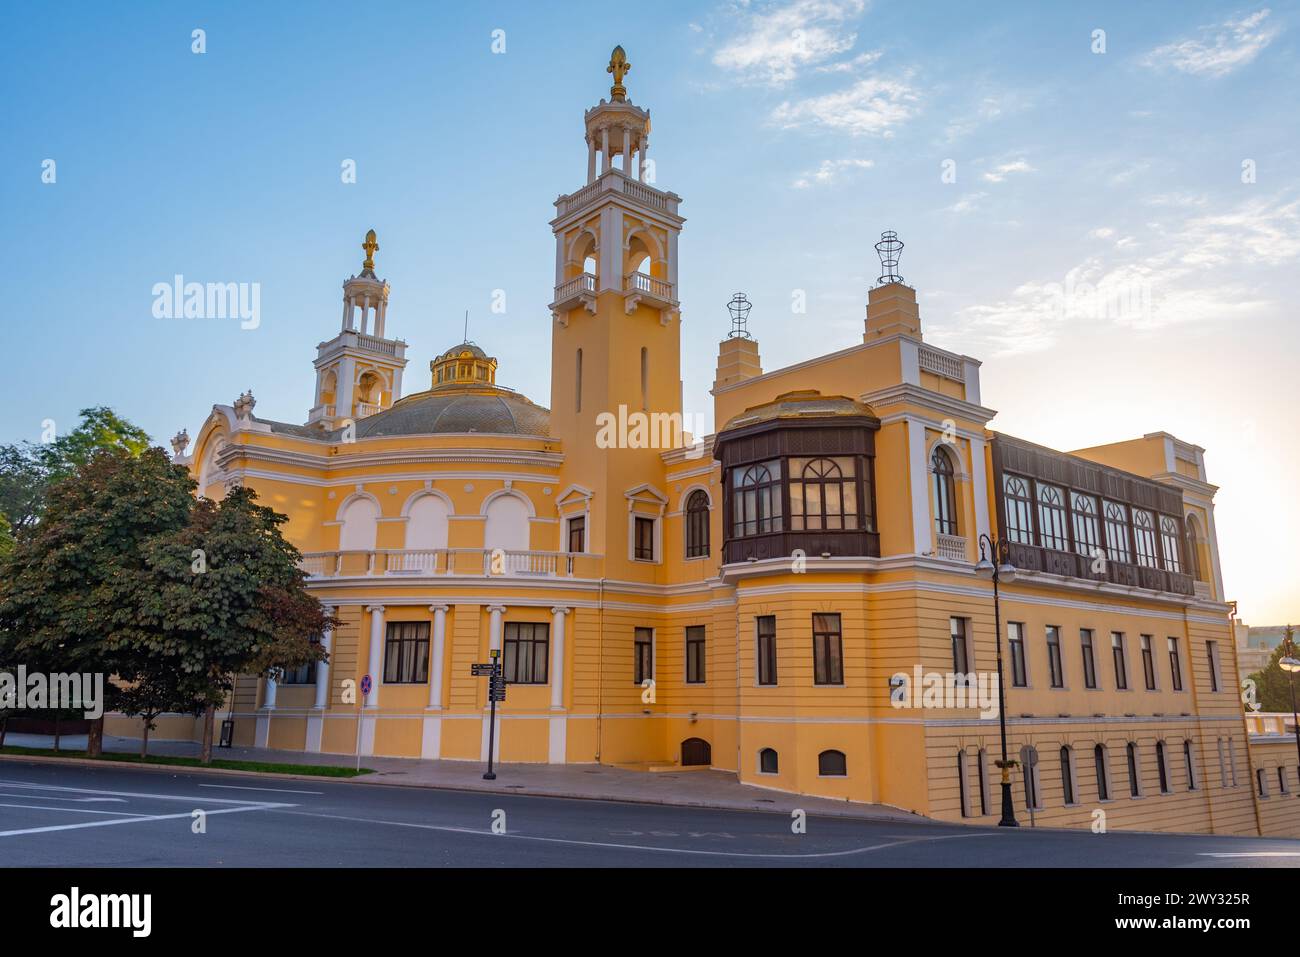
x,y
375,780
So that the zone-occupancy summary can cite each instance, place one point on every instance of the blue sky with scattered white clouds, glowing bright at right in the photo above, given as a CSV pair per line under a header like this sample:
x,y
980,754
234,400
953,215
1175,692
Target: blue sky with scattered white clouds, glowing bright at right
x,y
795,132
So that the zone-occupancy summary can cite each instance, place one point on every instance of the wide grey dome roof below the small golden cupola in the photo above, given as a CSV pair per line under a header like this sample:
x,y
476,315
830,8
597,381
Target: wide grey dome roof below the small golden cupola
x,y
462,409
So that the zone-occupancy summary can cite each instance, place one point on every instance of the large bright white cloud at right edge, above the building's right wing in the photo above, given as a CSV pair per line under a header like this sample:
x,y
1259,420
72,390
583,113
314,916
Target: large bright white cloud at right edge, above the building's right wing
x,y
1178,282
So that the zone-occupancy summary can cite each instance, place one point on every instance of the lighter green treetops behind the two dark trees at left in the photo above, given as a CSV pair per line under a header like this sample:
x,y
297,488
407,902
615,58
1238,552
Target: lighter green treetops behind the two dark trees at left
x,y
28,469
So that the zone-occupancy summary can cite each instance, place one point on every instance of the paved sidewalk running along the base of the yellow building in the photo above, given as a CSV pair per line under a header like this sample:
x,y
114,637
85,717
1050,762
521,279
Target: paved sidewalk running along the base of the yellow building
x,y
591,782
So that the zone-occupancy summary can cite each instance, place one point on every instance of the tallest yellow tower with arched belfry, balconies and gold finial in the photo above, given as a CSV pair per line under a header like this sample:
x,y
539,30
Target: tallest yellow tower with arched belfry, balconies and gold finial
x,y
616,348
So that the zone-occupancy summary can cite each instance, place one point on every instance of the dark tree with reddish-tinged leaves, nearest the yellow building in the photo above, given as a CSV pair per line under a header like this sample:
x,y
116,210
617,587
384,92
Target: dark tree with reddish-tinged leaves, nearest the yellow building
x,y
228,599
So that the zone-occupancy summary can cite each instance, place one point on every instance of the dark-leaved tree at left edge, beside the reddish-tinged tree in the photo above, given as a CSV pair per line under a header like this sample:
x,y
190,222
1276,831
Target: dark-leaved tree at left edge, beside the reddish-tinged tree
x,y
70,601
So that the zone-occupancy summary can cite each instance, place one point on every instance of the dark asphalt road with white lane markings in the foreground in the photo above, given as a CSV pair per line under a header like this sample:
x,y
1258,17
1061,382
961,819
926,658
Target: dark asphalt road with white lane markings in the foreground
x,y
115,817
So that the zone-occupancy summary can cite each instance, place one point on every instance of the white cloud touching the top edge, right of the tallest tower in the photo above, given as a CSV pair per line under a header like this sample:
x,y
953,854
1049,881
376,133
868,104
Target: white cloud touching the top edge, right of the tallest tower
x,y
778,41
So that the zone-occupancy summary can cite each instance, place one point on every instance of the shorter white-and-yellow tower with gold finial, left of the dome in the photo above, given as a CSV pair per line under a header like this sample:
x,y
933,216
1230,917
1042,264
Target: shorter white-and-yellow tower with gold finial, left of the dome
x,y
359,371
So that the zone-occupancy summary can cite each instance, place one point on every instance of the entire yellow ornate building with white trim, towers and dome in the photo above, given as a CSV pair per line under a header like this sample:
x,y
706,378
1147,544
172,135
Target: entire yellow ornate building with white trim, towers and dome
x,y
762,600
